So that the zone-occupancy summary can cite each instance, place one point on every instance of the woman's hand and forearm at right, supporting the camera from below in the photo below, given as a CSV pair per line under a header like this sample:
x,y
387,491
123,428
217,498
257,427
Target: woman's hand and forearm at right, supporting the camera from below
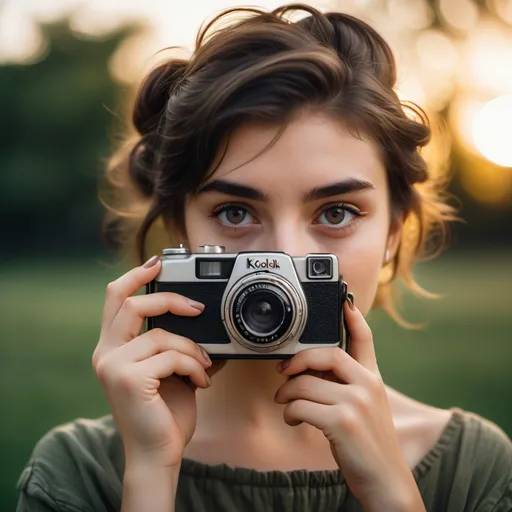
x,y
348,402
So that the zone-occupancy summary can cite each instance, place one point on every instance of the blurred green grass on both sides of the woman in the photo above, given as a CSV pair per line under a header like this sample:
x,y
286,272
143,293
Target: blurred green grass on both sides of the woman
x,y
51,315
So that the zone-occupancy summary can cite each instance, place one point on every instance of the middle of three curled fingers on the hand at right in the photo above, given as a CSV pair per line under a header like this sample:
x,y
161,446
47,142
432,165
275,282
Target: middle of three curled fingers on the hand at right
x,y
313,389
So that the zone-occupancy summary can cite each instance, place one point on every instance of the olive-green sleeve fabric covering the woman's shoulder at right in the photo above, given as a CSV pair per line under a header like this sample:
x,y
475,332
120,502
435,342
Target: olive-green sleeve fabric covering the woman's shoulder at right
x,y
471,464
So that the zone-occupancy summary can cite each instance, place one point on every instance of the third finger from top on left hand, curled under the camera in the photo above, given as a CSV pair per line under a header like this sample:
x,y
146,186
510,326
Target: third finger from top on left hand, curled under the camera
x,y
157,341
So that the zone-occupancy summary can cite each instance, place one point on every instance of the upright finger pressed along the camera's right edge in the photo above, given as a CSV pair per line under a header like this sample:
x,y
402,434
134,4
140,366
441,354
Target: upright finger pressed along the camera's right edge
x,y
361,338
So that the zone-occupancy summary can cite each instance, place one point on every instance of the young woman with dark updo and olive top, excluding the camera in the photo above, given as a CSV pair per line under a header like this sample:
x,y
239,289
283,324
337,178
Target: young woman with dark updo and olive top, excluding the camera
x,y
275,135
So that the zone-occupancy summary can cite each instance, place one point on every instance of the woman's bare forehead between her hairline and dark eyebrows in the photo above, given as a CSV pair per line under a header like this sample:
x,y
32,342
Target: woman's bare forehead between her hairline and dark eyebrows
x,y
312,150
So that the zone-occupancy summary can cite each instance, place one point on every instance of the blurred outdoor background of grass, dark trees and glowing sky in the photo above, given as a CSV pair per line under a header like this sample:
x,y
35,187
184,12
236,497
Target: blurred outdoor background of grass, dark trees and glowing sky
x,y
67,70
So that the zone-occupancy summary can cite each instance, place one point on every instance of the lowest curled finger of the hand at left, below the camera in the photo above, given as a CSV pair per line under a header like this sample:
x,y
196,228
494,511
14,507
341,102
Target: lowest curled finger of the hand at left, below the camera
x,y
171,362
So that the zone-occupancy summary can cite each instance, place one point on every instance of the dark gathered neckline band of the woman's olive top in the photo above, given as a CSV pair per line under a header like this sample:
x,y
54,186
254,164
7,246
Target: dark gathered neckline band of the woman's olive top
x,y
313,478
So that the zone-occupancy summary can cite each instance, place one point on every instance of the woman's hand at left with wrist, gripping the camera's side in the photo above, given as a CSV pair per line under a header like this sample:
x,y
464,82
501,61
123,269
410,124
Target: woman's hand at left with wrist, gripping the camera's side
x,y
149,379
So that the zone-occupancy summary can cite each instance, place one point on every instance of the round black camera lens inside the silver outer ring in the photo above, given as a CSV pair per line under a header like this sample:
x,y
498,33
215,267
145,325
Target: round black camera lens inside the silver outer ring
x,y
262,313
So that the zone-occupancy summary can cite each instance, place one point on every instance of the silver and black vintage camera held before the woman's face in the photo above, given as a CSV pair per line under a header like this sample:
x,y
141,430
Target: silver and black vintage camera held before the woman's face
x,y
258,304
